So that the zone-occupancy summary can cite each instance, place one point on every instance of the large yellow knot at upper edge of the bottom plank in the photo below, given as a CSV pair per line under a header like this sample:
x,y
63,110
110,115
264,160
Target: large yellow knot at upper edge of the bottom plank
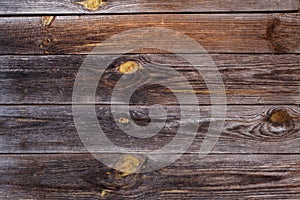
x,y
128,164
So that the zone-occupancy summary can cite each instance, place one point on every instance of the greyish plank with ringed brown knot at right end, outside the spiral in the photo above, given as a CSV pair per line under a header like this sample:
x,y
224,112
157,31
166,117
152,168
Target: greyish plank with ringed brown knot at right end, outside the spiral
x,y
247,129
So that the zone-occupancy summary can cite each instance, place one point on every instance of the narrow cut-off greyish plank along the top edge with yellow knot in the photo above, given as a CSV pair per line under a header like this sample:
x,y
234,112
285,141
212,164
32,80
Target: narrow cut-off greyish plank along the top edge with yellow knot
x,y
14,7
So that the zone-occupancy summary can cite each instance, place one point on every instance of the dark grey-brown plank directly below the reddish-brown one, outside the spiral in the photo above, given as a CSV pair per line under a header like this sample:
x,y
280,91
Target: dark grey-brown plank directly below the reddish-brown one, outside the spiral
x,y
266,79
